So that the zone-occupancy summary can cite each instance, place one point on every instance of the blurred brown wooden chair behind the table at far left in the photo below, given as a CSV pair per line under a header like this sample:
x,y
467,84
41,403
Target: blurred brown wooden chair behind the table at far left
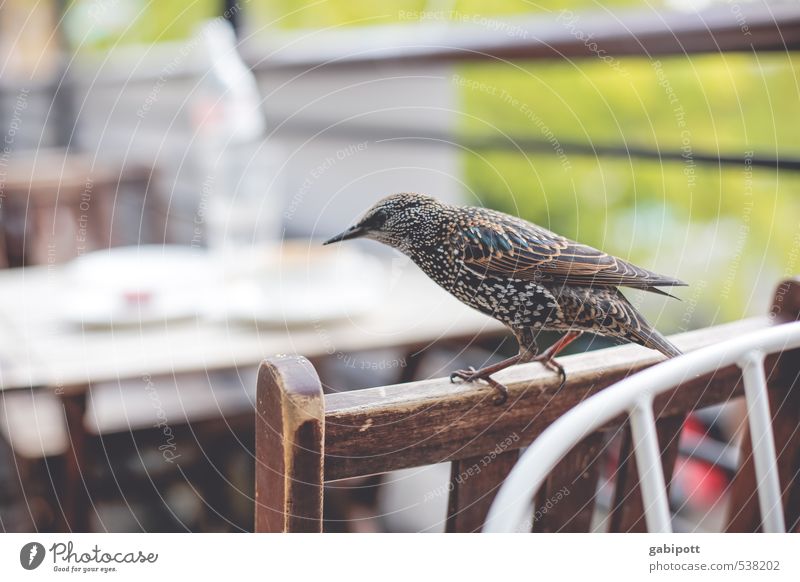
x,y
59,205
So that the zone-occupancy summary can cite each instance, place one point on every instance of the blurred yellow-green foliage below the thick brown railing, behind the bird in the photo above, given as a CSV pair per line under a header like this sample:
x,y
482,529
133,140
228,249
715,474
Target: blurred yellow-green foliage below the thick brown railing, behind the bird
x,y
732,229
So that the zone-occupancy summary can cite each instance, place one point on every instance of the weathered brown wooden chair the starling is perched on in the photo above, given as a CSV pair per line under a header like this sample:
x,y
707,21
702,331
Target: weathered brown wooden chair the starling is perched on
x,y
305,438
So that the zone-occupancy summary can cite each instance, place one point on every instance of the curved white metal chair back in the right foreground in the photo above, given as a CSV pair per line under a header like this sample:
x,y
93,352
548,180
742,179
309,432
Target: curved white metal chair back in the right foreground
x,y
513,505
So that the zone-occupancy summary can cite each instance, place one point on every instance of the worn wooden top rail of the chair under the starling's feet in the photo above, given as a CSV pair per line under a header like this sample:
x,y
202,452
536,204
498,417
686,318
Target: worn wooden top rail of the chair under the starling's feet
x,y
442,421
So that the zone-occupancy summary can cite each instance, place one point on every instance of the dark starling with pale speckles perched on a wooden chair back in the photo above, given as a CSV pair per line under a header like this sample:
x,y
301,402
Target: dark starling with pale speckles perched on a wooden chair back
x,y
523,275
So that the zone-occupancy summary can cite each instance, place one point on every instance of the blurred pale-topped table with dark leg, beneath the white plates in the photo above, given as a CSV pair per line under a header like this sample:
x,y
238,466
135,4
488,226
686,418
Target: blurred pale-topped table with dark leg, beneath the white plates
x,y
39,349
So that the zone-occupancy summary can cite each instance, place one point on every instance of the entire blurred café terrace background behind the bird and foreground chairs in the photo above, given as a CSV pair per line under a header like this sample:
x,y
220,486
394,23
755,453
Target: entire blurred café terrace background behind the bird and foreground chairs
x,y
168,169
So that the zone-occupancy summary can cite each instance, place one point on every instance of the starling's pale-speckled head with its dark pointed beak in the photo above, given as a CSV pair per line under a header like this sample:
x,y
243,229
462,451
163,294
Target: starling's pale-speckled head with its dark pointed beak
x,y
397,220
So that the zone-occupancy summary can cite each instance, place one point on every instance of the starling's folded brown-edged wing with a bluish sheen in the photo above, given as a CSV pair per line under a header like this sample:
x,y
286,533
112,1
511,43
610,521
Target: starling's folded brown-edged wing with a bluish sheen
x,y
493,243
